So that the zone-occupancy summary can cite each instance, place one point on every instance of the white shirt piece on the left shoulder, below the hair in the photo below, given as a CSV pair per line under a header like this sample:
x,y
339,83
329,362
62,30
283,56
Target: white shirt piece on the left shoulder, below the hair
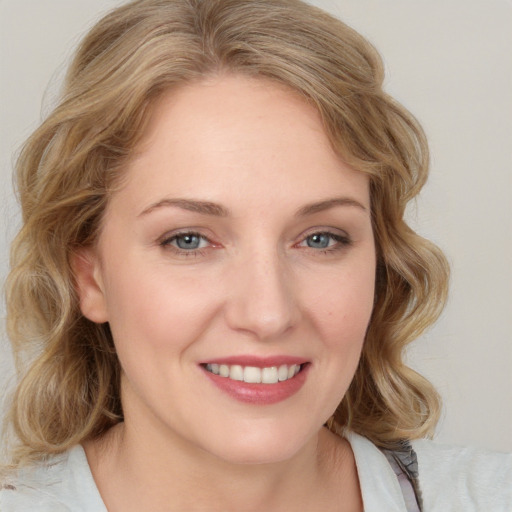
x,y
63,483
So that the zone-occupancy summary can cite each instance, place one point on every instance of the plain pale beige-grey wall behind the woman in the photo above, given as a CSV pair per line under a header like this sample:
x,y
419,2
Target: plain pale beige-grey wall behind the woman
x,y
450,63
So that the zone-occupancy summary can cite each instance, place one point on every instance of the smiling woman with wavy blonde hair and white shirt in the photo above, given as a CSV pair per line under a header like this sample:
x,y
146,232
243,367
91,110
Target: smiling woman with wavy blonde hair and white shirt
x,y
224,284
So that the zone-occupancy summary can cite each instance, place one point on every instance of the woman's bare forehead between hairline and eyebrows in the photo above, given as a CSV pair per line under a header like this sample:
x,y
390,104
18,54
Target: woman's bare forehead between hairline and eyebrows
x,y
238,133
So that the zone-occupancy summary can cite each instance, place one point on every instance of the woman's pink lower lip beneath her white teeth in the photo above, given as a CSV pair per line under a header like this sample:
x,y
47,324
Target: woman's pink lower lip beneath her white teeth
x,y
259,394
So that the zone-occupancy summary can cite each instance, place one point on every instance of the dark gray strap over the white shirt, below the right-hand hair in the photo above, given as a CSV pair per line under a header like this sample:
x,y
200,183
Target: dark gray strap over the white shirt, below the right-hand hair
x,y
404,462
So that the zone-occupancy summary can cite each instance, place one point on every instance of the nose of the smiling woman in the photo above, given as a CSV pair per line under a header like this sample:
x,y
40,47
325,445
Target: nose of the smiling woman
x,y
262,300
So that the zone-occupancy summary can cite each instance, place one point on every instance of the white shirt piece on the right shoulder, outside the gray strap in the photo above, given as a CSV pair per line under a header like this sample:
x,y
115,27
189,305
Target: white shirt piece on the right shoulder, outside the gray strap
x,y
469,479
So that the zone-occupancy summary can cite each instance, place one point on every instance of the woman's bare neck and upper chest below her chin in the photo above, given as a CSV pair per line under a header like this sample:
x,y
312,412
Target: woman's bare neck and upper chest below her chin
x,y
184,477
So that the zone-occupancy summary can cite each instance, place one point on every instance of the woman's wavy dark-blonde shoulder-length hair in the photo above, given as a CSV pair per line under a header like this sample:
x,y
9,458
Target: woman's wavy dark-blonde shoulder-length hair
x,y
69,375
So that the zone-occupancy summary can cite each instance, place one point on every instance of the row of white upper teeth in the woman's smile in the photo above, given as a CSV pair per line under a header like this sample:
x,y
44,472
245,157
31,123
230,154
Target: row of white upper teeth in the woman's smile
x,y
253,374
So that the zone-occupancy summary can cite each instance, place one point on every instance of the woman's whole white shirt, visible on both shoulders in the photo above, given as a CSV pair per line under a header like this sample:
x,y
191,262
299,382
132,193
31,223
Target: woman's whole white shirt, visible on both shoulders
x,y
451,479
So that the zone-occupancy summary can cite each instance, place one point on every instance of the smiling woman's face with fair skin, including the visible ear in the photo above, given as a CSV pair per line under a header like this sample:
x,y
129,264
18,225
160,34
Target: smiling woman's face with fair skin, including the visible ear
x,y
240,246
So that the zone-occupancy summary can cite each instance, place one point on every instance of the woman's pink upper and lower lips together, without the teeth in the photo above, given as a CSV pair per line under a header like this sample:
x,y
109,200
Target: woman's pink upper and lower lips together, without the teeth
x,y
259,394
